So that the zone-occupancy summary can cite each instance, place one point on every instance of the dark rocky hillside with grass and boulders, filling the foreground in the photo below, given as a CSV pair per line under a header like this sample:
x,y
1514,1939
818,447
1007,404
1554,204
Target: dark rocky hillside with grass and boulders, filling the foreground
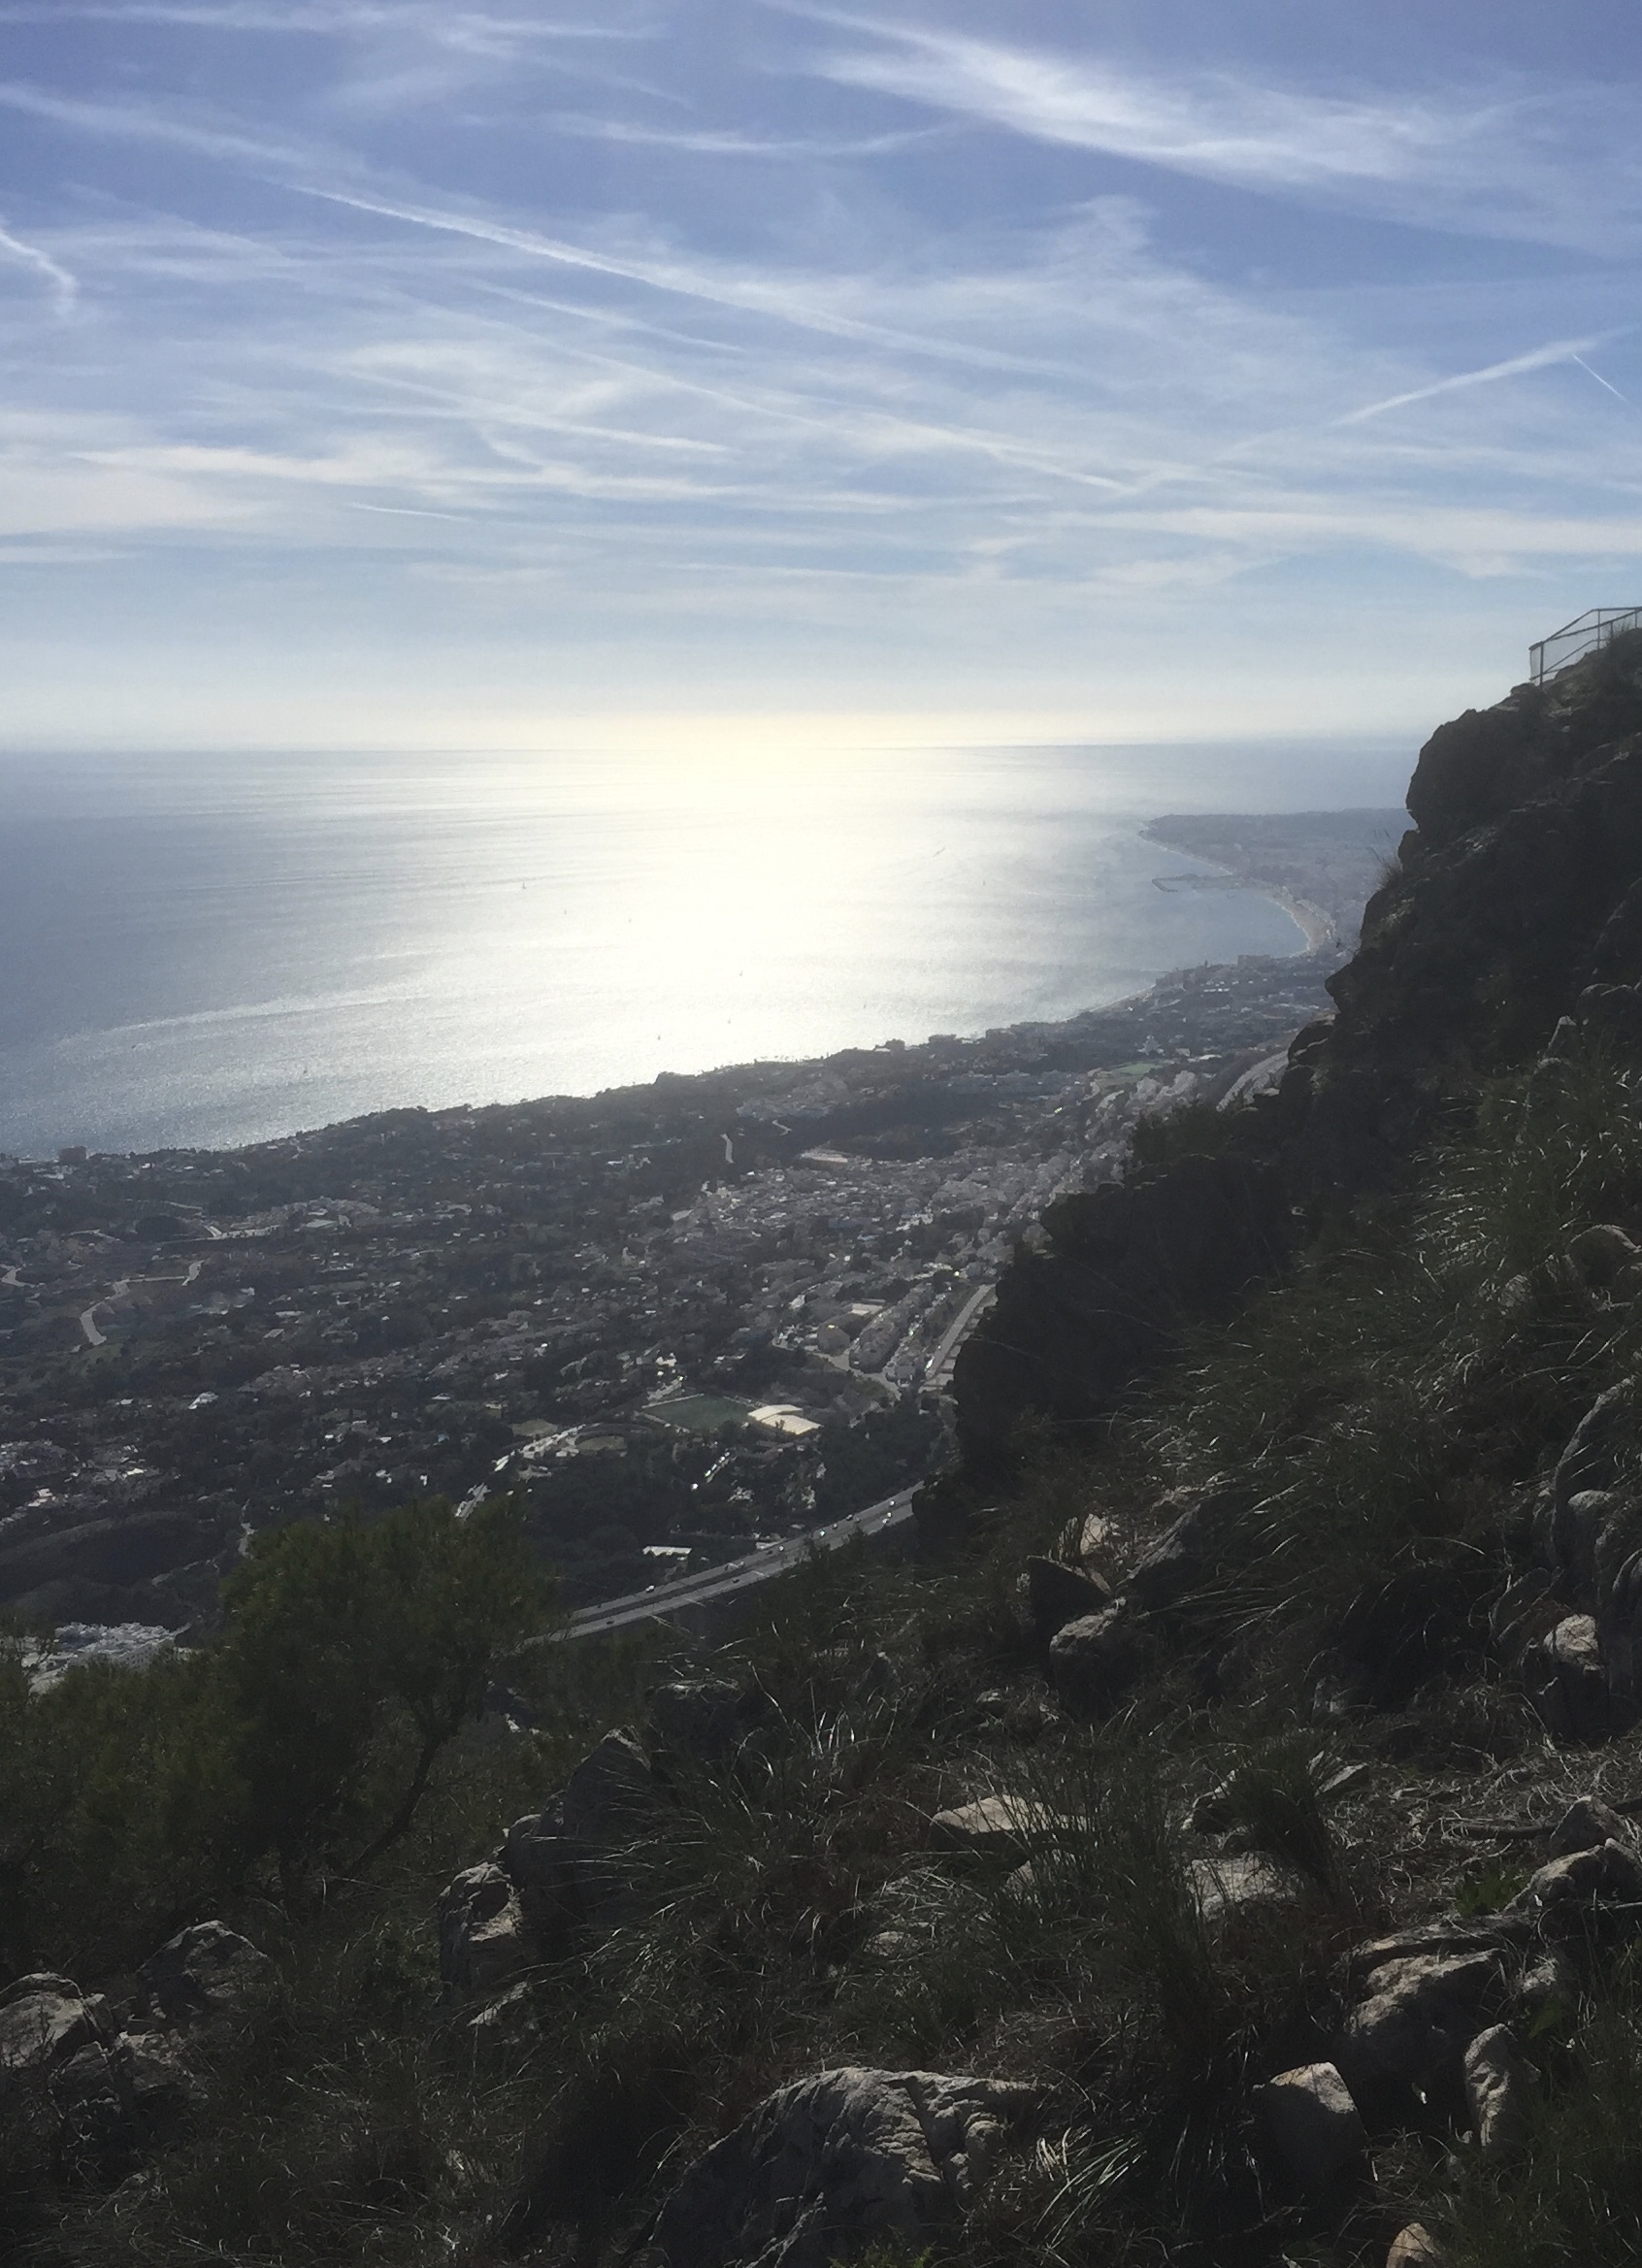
x,y
1217,1850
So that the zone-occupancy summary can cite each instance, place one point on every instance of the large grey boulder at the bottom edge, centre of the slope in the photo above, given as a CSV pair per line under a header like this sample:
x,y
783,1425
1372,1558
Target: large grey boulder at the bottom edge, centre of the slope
x,y
840,2163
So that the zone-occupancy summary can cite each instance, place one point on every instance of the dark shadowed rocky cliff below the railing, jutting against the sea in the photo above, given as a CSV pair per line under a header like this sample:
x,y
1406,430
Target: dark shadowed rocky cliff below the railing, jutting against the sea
x,y
1516,892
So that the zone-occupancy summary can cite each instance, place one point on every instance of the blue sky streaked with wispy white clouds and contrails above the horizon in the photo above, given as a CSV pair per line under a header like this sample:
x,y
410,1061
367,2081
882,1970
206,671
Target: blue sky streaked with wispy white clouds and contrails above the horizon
x,y
416,373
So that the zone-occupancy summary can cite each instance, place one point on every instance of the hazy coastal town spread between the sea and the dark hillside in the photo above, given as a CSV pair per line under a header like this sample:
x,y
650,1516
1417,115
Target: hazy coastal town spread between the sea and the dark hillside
x,y
672,1321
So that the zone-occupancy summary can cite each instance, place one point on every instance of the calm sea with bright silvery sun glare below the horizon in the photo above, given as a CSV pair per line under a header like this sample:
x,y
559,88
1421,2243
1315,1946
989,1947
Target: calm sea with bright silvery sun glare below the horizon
x,y
205,951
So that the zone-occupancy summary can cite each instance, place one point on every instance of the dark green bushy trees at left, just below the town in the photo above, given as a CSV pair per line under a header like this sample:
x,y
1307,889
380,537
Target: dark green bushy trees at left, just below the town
x,y
130,1800
